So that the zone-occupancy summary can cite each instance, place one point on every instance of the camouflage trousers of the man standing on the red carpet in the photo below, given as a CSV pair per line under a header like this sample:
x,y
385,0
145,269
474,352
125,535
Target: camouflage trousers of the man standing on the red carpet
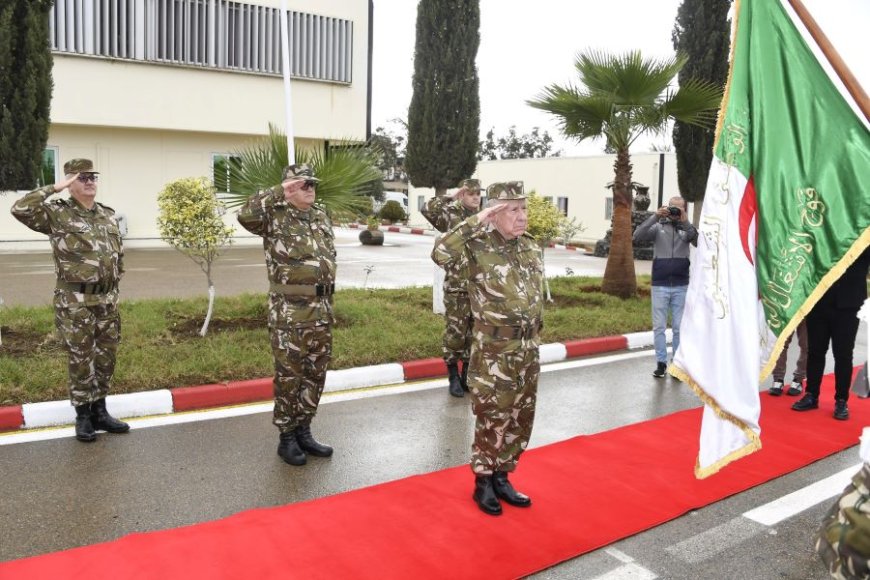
x,y
503,380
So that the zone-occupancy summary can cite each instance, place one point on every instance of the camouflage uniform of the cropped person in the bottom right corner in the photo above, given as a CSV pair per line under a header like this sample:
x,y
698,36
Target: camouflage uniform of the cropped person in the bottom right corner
x,y
844,539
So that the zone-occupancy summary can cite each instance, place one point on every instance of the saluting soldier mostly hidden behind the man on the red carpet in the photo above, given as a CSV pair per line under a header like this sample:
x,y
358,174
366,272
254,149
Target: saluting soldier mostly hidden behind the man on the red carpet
x,y
445,212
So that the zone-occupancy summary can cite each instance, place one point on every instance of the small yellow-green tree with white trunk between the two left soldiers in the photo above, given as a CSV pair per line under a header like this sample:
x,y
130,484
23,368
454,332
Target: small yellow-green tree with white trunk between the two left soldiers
x,y
190,221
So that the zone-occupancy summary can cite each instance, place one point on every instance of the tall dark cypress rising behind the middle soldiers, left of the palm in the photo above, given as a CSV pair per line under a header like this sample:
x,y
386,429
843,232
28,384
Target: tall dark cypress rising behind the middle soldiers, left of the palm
x,y
444,115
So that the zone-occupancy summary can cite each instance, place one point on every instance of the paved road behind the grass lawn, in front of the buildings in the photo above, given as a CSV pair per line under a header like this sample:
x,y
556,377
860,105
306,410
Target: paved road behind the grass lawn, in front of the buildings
x,y
28,277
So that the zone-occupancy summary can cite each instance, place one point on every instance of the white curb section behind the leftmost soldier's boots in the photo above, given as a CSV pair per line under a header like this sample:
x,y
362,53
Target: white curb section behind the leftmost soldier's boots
x,y
53,413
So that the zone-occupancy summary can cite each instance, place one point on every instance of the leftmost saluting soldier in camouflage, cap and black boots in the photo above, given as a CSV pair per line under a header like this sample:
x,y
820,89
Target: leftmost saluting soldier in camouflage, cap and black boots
x,y
89,262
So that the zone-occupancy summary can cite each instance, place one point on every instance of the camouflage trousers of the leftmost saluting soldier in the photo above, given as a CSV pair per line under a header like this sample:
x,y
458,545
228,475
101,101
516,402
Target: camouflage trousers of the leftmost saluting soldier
x,y
90,335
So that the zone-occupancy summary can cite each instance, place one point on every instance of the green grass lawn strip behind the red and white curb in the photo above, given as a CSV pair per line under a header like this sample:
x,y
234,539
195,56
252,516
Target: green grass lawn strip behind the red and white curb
x,y
160,347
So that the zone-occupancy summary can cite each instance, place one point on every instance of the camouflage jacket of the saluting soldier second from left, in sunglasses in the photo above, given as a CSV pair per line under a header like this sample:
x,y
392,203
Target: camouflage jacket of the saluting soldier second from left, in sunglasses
x,y
300,249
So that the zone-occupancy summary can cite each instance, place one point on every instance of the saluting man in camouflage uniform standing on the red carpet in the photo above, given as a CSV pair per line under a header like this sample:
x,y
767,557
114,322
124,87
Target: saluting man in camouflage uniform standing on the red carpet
x,y
504,267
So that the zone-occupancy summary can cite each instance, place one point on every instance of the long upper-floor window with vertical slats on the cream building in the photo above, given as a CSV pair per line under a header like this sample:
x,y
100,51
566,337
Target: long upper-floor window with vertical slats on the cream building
x,y
219,34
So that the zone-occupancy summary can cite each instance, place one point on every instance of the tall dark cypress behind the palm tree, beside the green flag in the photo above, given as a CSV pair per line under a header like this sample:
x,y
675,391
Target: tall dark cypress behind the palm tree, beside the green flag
x,y
702,32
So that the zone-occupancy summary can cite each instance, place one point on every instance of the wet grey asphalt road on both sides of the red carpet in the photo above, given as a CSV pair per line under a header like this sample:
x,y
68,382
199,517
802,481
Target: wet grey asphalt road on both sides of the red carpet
x,y
66,494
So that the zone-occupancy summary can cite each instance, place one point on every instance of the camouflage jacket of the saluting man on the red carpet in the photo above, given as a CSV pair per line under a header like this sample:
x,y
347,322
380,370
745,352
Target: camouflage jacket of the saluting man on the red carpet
x,y
505,277
